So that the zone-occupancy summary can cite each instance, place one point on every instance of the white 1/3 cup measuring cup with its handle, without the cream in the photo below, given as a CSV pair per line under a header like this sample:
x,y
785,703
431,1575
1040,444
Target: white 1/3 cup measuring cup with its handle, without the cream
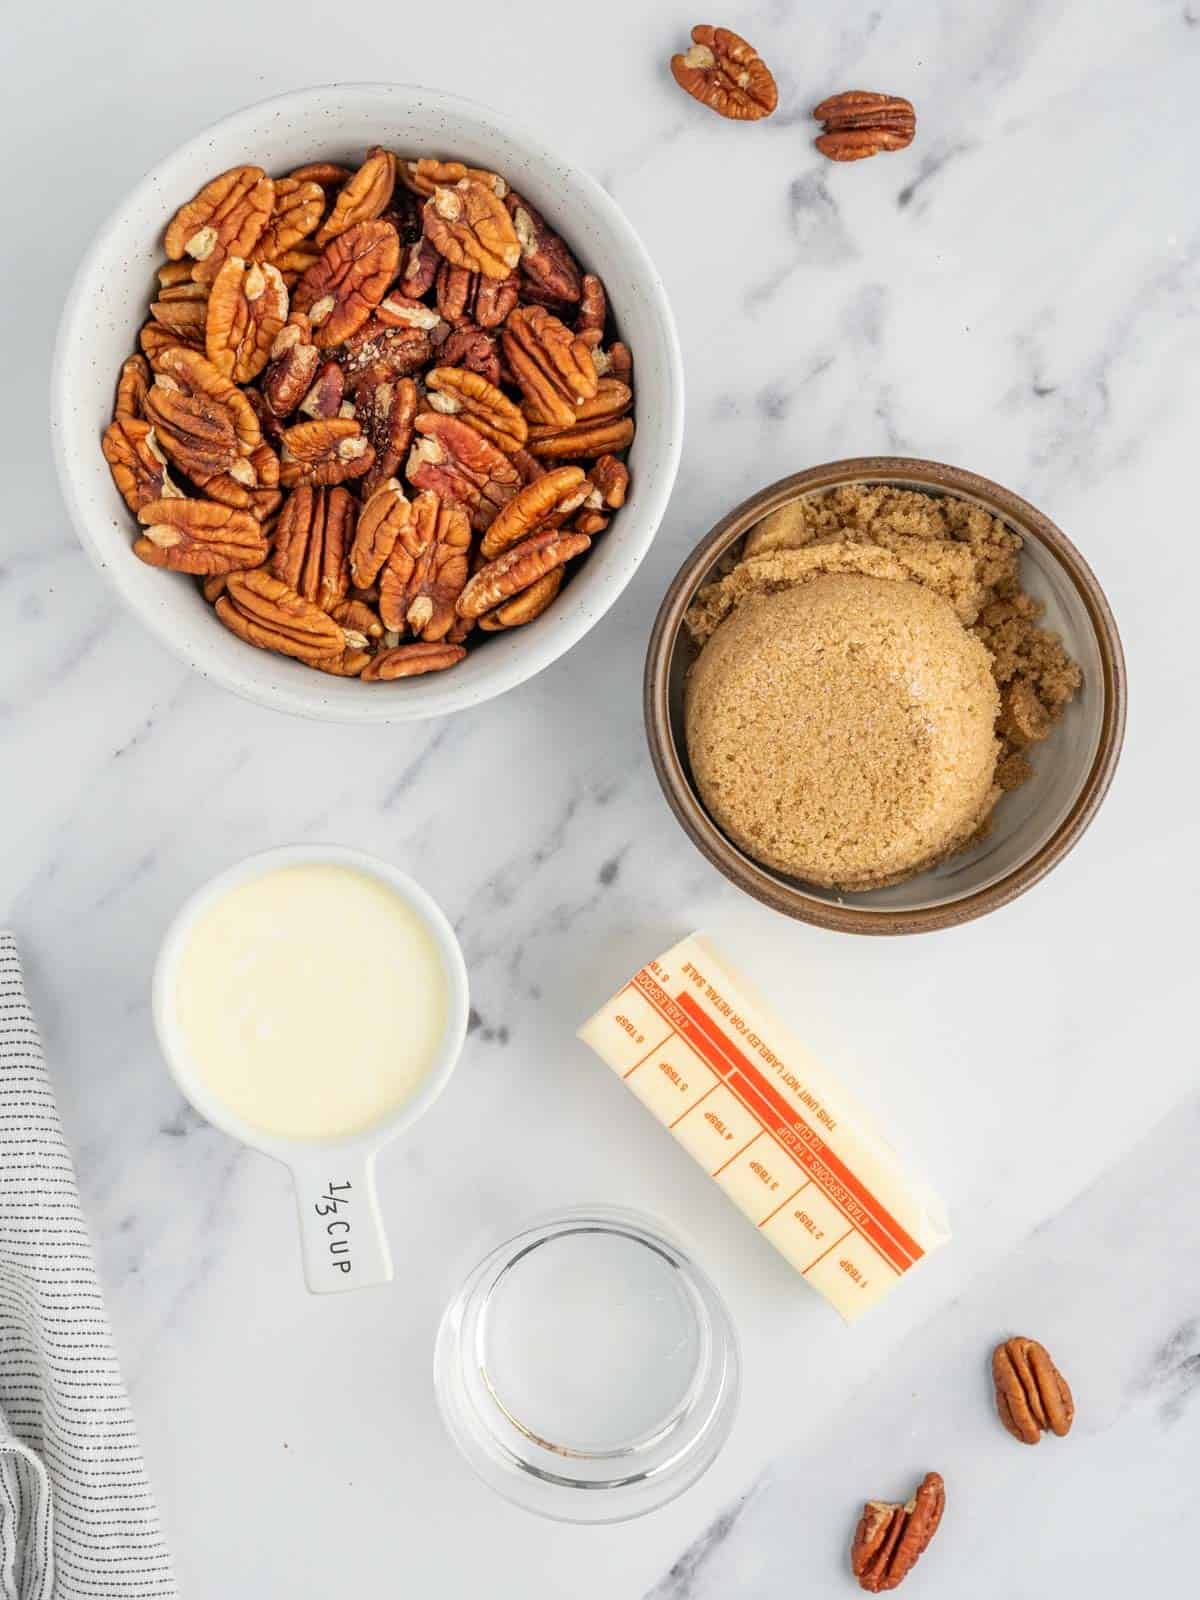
x,y
343,1238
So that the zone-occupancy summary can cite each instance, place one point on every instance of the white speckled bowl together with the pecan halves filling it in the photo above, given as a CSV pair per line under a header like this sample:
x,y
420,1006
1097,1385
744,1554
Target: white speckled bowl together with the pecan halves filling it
x,y
367,404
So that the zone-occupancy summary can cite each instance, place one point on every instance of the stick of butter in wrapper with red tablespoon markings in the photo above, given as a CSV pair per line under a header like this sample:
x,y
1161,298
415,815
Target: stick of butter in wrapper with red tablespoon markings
x,y
767,1124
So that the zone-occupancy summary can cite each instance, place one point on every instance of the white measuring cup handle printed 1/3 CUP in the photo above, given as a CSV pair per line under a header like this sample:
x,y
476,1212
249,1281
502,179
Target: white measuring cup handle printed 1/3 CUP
x,y
342,1231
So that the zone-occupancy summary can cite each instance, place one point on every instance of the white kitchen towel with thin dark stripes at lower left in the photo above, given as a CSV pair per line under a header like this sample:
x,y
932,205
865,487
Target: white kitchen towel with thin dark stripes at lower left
x,y
76,1510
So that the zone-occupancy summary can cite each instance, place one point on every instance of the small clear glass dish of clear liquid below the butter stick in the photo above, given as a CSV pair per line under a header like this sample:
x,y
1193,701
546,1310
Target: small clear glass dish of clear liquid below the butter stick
x,y
588,1369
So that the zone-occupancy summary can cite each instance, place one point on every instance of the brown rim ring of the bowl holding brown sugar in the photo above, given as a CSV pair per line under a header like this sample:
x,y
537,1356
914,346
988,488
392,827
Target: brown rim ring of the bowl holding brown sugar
x,y
793,900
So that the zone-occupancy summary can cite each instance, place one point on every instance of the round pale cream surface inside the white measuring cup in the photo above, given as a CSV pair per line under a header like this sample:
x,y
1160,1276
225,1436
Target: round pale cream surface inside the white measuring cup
x,y
311,1001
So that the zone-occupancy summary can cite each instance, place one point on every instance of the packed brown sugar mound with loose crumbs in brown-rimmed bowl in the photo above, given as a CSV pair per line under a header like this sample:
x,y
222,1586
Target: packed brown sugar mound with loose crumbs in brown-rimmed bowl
x,y
871,676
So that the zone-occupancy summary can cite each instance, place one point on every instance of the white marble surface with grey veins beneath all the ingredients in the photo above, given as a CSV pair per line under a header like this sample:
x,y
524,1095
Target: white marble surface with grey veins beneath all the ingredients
x,y
1017,295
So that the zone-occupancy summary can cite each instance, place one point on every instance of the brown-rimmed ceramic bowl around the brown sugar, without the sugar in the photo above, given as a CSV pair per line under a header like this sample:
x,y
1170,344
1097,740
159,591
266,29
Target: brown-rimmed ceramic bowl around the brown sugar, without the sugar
x,y
1034,826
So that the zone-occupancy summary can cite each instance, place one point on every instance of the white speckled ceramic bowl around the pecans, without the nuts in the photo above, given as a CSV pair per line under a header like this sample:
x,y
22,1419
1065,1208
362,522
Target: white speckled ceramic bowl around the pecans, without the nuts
x,y
108,302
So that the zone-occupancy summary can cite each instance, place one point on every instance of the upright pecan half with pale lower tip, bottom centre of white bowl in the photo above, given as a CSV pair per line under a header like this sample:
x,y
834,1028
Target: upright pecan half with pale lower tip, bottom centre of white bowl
x,y
426,570
